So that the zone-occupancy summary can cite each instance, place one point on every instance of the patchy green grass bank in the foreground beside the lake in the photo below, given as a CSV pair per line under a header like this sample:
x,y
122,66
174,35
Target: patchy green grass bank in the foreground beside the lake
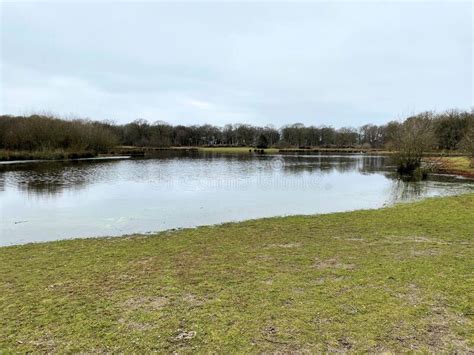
x,y
394,279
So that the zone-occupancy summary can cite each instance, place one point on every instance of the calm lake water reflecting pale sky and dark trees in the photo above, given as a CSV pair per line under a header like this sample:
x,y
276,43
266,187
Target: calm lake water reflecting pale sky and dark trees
x,y
42,201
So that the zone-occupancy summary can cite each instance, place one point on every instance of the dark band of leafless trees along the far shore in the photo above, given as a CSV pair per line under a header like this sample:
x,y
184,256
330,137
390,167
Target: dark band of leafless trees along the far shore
x,y
449,130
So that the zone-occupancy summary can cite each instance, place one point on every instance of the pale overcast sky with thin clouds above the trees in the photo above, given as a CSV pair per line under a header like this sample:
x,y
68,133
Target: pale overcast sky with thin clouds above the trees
x,y
336,63
